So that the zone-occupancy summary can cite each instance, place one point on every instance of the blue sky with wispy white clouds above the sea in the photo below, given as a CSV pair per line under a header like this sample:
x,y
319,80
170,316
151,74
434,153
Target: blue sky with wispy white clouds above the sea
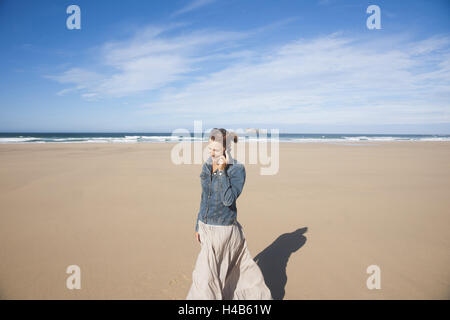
x,y
299,66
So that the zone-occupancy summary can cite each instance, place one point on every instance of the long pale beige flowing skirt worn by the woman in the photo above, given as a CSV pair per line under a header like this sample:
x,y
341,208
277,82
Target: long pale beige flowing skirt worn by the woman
x,y
224,269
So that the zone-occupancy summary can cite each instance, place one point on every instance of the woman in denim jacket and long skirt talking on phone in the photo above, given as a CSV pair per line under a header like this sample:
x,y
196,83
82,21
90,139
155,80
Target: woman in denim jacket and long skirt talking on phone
x,y
224,269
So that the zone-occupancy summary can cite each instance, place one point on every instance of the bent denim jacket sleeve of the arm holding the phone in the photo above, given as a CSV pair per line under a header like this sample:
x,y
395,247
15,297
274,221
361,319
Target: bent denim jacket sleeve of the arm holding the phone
x,y
232,183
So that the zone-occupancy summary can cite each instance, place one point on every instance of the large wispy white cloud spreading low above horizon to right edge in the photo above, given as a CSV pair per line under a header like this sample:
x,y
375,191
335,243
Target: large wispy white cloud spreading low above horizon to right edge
x,y
330,79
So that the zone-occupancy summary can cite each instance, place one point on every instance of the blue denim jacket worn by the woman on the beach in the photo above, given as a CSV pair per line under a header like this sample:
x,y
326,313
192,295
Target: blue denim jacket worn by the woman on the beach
x,y
220,191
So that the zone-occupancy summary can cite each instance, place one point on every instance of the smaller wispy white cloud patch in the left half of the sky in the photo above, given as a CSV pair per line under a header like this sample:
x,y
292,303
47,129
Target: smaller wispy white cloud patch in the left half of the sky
x,y
148,61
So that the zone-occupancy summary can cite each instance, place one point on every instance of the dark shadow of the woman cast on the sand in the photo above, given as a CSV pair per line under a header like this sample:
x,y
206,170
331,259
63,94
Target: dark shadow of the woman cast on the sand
x,y
273,260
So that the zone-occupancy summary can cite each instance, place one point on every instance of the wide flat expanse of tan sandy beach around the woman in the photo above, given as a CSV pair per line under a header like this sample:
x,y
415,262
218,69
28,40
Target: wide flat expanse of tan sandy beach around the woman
x,y
125,214
